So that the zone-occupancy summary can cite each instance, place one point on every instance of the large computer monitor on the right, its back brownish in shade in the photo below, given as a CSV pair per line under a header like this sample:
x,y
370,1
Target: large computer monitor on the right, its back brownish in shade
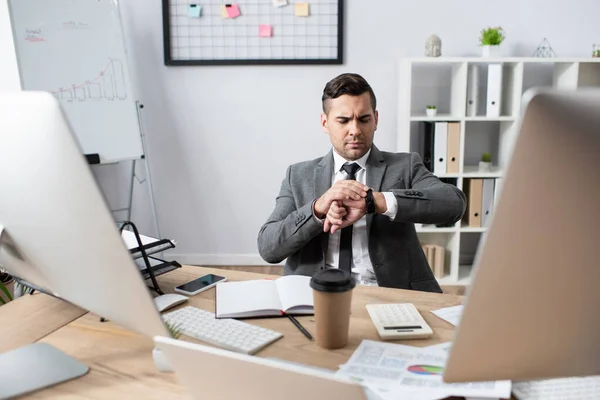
x,y
531,311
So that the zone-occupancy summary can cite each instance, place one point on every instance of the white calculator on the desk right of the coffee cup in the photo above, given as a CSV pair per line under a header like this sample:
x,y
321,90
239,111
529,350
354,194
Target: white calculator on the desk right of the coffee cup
x,y
398,321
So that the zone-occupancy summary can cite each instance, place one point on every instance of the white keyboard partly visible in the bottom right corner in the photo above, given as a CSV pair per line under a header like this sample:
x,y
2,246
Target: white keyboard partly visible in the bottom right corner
x,y
563,388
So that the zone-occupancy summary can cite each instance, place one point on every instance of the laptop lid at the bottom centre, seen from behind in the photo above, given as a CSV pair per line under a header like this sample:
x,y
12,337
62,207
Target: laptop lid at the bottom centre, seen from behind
x,y
213,373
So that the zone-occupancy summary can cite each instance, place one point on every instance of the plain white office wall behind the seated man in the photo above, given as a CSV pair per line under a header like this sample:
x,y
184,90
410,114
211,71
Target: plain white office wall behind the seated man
x,y
220,138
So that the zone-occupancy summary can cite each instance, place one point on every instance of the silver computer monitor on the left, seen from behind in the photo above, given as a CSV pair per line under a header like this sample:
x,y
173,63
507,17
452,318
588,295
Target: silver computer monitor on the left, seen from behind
x,y
56,229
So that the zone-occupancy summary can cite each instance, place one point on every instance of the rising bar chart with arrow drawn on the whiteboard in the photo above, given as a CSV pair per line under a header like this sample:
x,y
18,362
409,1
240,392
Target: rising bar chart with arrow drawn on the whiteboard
x,y
109,85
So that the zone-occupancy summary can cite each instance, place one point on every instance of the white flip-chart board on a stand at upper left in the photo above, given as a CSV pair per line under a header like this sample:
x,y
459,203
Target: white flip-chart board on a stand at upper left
x,y
75,50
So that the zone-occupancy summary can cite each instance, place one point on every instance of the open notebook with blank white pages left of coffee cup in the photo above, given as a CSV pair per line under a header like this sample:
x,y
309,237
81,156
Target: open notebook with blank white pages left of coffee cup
x,y
290,294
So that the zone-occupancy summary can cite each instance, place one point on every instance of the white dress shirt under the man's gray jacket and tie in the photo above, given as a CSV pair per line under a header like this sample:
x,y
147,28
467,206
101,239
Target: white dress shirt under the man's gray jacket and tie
x,y
361,263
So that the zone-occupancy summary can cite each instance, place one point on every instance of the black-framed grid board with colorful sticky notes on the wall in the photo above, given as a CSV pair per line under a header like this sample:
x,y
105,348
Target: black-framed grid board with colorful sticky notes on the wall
x,y
251,32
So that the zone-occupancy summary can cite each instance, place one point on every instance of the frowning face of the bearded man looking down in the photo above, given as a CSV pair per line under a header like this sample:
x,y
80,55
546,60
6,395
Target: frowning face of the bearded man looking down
x,y
350,124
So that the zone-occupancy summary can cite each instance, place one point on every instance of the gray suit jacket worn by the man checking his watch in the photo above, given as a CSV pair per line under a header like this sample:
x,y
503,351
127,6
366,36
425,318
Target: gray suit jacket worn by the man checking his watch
x,y
398,260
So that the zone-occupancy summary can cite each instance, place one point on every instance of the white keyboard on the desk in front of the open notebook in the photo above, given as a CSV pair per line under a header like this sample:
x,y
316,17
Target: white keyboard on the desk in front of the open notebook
x,y
229,334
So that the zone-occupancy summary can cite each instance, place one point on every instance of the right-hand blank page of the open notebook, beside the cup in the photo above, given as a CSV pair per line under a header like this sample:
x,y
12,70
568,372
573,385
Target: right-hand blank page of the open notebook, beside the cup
x,y
295,292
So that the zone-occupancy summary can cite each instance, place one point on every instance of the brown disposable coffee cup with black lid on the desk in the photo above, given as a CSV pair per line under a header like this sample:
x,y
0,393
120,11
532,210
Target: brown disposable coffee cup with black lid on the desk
x,y
332,294
